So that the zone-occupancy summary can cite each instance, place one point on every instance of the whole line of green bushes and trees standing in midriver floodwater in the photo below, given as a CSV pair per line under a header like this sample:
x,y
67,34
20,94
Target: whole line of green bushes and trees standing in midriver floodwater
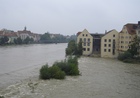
x,y
69,66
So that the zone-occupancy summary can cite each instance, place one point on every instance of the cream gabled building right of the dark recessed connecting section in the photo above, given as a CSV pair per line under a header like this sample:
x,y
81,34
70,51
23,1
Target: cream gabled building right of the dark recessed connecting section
x,y
109,44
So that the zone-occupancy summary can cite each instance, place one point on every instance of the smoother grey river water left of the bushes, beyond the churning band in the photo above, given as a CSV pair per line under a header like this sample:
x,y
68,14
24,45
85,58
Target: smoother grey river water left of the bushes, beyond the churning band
x,y
21,62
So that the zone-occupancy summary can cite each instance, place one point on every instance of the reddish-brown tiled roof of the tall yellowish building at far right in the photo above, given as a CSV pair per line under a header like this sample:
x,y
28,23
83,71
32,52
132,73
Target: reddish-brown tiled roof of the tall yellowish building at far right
x,y
131,28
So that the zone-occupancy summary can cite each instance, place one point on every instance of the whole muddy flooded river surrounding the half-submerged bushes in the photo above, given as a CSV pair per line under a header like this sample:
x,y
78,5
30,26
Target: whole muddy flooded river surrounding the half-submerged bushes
x,y
101,78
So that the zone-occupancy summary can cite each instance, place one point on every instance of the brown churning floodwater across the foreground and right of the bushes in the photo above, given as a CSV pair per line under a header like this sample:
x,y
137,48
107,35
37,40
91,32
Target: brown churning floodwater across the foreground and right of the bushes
x,y
101,78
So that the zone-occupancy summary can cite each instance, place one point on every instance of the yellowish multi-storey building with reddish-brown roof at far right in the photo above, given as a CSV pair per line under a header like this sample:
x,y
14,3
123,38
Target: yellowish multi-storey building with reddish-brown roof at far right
x,y
126,36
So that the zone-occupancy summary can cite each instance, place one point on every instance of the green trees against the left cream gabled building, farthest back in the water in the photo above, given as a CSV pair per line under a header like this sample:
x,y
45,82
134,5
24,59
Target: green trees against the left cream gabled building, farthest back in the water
x,y
74,49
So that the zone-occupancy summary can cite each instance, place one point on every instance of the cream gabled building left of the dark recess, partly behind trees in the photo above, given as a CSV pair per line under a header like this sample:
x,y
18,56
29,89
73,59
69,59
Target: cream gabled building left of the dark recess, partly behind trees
x,y
87,42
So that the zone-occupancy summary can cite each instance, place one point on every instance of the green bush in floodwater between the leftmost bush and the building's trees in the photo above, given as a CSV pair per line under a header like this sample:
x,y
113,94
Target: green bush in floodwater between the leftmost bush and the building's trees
x,y
69,66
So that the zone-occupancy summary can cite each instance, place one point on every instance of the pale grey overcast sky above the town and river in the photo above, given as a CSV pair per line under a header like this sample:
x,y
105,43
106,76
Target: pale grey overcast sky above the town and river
x,y
67,17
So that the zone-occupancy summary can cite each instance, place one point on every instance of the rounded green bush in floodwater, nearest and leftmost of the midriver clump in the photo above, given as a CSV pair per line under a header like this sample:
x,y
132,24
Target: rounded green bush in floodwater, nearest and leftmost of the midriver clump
x,y
51,72
